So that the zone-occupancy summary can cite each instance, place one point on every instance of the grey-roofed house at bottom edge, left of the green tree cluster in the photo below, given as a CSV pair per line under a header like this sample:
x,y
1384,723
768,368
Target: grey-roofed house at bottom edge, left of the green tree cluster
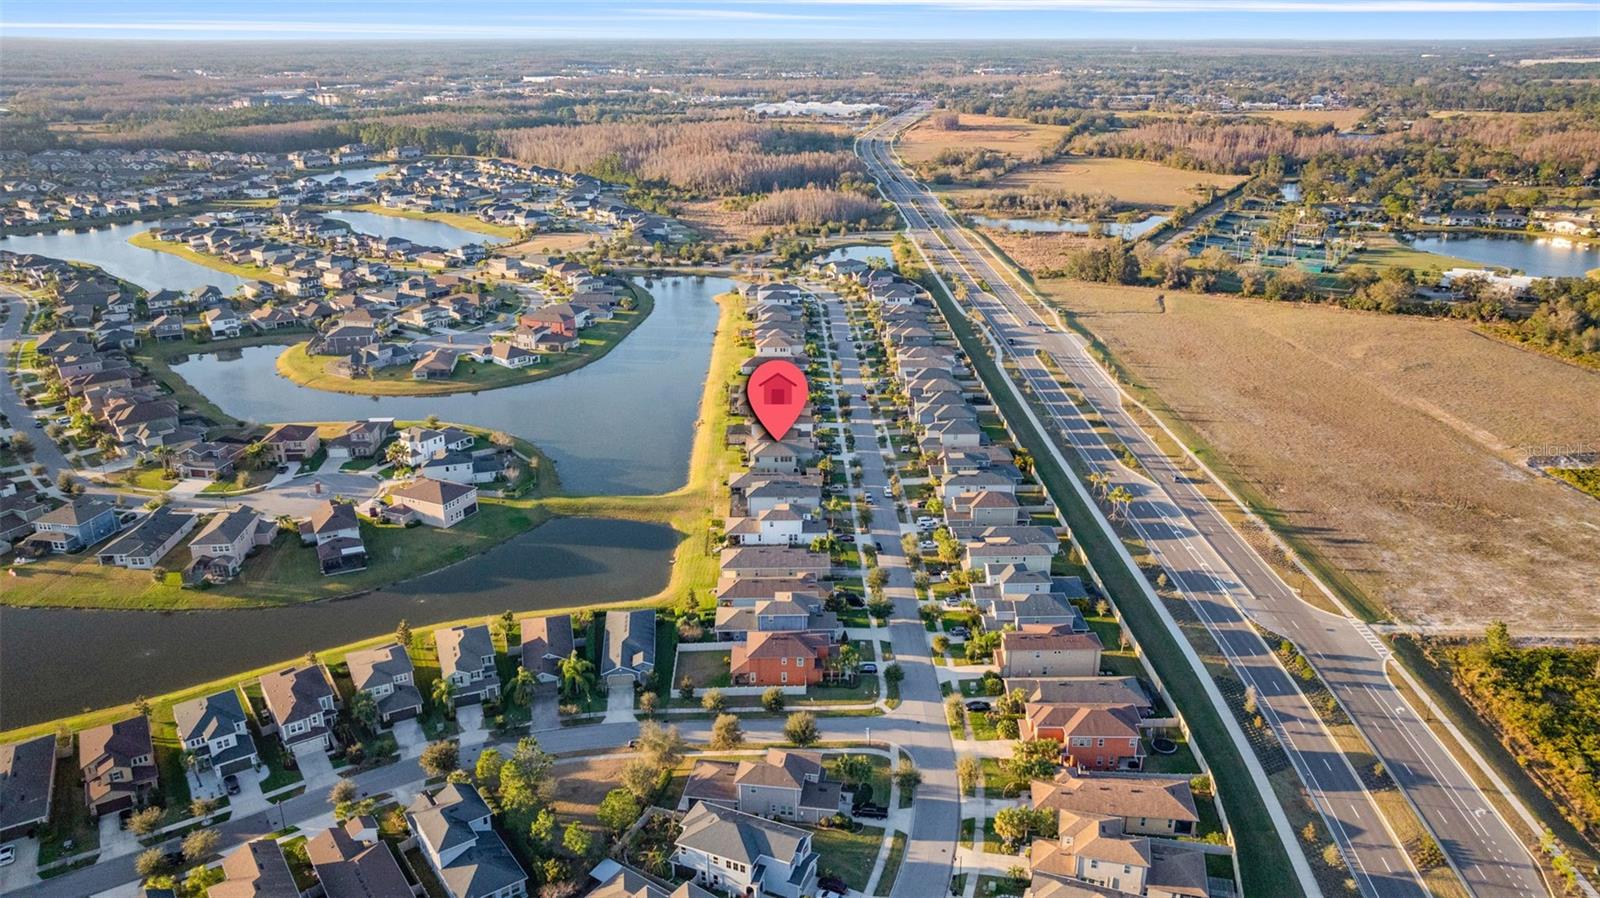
x,y
457,835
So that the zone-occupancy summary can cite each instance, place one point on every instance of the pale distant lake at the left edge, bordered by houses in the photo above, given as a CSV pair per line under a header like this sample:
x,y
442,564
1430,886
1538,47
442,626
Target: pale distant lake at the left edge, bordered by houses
x,y
108,247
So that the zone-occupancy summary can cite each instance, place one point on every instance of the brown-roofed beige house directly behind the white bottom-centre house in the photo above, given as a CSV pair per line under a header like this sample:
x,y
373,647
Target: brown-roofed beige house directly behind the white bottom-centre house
x,y
783,784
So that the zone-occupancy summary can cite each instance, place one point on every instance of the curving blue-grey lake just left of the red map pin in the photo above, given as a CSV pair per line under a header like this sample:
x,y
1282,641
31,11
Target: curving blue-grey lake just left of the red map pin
x,y
622,425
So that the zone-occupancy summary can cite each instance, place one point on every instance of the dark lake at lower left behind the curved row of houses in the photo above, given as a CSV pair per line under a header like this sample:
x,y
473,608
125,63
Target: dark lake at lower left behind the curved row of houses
x,y
76,660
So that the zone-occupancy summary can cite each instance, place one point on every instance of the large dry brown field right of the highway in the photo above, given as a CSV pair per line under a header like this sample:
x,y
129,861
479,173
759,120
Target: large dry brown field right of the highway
x,y
1390,444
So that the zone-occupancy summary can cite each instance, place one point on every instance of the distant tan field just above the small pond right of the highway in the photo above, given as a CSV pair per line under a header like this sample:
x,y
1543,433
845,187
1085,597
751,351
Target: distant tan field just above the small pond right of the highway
x,y
1132,182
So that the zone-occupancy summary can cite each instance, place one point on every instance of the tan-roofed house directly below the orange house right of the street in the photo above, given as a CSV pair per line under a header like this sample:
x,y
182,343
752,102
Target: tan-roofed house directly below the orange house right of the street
x,y
1148,804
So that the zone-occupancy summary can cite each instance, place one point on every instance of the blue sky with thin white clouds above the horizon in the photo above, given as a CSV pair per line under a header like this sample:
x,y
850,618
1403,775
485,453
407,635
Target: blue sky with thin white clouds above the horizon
x,y
926,20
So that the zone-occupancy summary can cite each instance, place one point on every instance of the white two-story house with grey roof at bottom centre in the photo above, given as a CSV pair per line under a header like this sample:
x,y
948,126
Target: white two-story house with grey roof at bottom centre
x,y
742,854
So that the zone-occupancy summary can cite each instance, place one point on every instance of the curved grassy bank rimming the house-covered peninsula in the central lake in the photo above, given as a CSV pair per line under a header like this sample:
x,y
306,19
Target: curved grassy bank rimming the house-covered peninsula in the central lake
x,y
470,377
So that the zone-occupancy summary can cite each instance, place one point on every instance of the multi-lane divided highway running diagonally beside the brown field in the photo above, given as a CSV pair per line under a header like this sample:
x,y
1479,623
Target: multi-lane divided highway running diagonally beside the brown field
x,y
1230,587
